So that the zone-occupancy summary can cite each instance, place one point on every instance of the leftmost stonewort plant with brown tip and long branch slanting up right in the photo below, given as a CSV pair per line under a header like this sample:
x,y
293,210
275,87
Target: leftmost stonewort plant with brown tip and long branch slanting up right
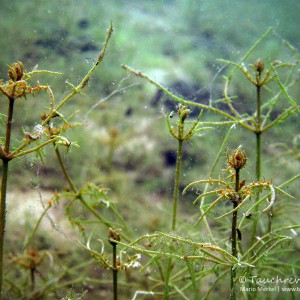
x,y
17,87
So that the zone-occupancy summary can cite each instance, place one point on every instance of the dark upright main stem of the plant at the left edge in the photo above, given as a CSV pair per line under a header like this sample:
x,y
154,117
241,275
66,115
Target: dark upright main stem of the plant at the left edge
x,y
5,162
